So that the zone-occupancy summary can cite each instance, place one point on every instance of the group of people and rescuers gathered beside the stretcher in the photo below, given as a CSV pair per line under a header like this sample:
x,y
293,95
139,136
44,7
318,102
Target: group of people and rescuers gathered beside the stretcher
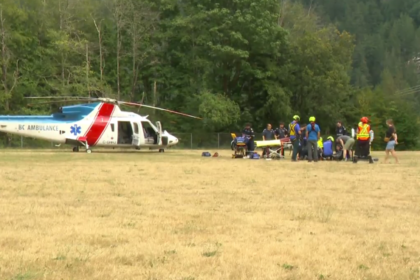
x,y
307,141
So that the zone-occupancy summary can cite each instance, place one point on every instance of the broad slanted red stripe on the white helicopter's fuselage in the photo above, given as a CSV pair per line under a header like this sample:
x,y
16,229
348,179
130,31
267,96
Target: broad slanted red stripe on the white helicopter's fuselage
x,y
100,123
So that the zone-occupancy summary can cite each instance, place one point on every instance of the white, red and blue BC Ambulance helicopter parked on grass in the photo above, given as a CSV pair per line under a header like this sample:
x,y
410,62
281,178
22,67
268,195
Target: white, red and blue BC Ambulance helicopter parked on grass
x,y
98,124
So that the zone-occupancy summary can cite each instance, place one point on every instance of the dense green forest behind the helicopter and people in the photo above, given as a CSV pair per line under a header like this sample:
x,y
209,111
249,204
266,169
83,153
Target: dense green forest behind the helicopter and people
x,y
230,61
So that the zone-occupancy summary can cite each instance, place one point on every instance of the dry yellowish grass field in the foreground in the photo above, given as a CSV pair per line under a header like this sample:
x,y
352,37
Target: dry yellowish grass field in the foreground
x,y
177,215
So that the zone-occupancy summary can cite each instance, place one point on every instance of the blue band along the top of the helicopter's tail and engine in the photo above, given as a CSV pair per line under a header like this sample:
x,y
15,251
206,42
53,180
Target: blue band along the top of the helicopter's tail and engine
x,y
70,114
